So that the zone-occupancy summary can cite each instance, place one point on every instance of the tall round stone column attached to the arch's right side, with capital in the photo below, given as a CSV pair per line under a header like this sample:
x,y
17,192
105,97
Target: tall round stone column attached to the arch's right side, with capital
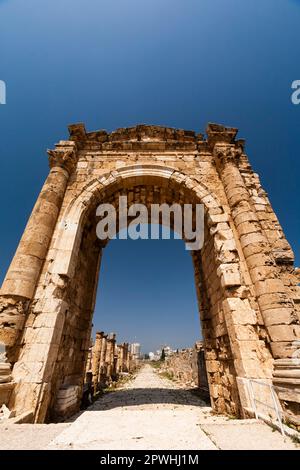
x,y
276,307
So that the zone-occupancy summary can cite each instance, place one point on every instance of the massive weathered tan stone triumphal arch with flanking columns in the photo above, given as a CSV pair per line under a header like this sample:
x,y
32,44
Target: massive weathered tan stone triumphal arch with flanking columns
x,y
246,284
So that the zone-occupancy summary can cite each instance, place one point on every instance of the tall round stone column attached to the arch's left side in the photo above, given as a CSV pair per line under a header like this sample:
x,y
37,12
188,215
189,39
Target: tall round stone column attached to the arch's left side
x,y
22,276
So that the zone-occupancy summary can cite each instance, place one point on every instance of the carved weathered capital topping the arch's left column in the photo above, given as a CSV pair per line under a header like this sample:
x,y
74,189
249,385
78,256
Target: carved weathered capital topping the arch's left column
x,y
64,156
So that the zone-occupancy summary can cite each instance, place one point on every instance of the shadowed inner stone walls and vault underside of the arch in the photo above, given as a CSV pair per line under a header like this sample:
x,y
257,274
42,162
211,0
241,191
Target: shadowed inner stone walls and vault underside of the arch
x,y
81,293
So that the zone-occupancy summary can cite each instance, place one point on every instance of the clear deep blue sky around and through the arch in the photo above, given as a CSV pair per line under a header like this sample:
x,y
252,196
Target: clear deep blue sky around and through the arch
x,y
117,63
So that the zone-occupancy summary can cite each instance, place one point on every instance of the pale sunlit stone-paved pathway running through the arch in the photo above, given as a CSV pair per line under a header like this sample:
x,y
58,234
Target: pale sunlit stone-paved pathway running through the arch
x,y
149,412
